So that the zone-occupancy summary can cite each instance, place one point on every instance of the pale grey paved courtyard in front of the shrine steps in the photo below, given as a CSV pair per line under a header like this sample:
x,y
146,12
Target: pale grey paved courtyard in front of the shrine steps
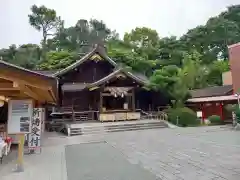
x,y
205,153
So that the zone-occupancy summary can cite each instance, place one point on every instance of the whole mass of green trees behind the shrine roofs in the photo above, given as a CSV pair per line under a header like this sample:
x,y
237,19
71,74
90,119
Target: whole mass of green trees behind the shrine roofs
x,y
195,60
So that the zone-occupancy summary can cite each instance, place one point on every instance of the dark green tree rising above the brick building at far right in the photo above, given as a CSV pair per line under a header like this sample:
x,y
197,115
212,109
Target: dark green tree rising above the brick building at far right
x,y
211,39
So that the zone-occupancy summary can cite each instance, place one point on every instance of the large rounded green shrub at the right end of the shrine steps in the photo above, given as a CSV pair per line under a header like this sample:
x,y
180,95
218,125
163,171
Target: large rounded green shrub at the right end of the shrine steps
x,y
184,116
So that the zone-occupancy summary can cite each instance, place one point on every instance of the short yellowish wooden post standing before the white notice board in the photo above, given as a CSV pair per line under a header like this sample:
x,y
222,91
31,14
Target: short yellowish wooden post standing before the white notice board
x,y
19,167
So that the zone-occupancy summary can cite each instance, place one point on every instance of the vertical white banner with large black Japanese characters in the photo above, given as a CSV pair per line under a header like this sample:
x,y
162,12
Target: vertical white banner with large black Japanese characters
x,y
34,138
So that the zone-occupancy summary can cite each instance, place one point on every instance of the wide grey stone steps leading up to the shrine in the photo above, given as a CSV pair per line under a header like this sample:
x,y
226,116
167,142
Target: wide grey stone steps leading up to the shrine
x,y
99,128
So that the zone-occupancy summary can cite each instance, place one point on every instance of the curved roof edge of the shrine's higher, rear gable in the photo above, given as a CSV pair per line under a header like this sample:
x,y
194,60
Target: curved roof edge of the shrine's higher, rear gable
x,y
96,49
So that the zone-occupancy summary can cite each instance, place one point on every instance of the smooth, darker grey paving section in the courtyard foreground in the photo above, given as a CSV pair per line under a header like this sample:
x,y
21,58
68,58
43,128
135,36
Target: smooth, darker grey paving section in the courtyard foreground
x,y
105,164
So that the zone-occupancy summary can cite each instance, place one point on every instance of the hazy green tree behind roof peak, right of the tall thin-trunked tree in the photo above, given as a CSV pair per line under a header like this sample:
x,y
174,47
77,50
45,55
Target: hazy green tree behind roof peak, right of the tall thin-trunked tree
x,y
80,37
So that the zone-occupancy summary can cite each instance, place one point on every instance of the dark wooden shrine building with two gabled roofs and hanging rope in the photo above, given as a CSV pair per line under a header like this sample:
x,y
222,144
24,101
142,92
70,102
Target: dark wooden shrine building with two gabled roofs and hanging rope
x,y
98,87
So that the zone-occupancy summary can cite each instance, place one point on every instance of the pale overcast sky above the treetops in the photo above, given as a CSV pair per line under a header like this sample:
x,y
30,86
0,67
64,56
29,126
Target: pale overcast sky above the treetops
x,y
168,17
